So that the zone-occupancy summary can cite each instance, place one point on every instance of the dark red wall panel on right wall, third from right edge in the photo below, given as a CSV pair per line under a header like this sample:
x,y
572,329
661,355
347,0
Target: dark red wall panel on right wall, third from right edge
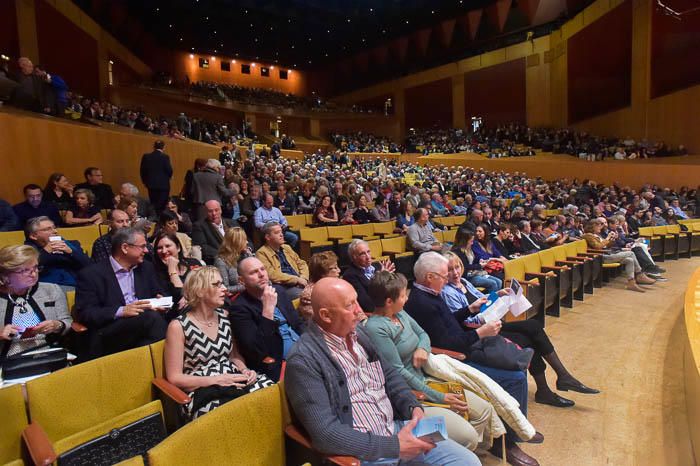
x,y
497,93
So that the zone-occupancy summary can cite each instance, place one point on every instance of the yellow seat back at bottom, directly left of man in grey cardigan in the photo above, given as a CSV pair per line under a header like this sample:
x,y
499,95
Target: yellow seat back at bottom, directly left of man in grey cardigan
x,y
248,430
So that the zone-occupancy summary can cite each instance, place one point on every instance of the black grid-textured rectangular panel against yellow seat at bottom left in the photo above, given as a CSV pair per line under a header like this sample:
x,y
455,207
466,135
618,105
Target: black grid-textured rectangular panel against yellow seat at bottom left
x,y
118,444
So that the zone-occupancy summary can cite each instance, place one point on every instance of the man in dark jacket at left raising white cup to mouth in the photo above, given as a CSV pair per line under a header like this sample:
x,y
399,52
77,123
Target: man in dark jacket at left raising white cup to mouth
x,y
59,260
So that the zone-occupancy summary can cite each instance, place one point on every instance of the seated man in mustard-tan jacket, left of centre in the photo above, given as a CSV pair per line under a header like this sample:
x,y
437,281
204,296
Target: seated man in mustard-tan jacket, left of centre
x,y
283,265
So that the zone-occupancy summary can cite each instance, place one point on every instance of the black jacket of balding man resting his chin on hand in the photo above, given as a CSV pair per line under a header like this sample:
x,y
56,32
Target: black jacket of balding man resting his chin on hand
x,y
258,337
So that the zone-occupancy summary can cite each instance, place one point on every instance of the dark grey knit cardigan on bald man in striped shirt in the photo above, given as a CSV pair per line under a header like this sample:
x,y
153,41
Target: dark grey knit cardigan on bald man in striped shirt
x,y
317,391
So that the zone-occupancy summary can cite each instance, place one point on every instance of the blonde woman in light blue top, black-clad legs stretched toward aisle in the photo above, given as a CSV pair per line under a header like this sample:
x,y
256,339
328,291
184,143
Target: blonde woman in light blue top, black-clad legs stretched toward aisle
x,y
465,301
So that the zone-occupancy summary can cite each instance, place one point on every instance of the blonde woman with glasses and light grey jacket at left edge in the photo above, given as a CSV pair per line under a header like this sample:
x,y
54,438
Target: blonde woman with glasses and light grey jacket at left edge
x,y
31,313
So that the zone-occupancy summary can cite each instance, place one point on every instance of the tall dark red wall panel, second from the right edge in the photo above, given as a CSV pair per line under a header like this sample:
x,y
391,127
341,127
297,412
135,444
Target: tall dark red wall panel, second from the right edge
x,y
599,65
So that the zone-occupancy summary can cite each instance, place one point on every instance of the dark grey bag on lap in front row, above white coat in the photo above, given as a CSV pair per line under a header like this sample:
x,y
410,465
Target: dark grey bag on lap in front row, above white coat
x,y
500,353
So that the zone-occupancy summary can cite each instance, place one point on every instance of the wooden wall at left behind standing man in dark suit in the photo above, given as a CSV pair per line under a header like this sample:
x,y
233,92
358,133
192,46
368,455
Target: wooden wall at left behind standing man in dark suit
x,y
34,147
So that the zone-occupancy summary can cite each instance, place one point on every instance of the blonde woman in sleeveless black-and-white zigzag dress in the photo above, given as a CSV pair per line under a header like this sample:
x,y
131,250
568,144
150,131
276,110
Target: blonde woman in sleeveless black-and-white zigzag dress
x,y
201,357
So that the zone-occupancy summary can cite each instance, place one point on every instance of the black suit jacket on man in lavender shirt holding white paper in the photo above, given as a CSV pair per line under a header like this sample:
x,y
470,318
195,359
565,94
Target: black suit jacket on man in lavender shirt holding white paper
x,y
98,296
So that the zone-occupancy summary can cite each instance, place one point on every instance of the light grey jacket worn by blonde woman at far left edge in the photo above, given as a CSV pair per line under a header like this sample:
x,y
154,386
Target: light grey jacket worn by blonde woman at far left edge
x,y
48,299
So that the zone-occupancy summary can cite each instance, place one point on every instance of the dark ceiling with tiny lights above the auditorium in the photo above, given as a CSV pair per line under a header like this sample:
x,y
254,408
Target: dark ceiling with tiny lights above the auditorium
x,y
294,33
